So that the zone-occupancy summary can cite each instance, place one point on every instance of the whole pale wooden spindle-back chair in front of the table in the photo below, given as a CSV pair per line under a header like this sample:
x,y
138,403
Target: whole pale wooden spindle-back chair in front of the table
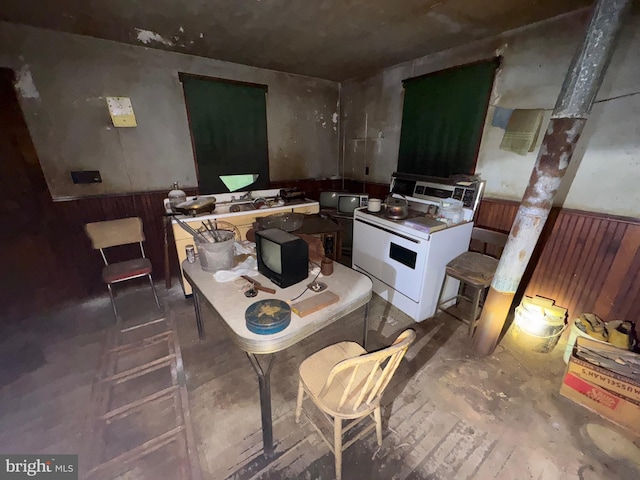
x,y
346,383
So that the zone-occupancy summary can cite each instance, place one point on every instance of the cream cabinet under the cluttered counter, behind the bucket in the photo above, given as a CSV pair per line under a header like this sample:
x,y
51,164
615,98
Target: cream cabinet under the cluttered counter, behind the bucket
x,y
242,220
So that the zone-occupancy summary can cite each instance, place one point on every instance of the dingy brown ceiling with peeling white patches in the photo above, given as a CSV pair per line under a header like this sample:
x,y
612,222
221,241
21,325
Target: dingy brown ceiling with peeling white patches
x,y
332,39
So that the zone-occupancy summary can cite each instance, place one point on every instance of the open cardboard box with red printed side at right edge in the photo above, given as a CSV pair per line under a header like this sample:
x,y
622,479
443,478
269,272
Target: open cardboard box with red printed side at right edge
x,y
610,394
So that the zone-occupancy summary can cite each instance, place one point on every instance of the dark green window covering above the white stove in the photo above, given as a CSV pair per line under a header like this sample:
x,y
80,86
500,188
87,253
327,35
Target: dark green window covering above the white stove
x,y
442,120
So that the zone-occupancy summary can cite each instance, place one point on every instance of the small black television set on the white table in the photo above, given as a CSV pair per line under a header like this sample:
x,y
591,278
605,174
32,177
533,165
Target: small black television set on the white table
x,y
282,257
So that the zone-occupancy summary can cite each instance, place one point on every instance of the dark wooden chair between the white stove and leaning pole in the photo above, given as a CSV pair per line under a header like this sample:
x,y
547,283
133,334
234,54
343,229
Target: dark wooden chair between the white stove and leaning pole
x,y
474,270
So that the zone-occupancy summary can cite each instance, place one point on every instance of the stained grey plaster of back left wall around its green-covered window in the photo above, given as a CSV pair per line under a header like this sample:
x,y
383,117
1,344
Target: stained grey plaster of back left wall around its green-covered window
x,y
63,80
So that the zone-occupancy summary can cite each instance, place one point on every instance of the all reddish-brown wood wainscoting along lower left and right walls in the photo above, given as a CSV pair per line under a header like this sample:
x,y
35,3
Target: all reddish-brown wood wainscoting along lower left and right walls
x,y
586,262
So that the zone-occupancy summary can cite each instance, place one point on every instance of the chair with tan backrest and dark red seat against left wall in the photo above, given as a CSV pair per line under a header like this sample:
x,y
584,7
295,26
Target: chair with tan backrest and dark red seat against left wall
x,y
112,233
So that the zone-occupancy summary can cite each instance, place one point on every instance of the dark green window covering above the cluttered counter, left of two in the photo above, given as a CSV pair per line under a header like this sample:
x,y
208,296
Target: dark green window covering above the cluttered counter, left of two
x,y
228,124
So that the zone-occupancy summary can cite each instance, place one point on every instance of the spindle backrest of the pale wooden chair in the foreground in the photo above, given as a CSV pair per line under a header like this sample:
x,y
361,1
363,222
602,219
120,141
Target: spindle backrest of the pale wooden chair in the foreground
x,y
365,377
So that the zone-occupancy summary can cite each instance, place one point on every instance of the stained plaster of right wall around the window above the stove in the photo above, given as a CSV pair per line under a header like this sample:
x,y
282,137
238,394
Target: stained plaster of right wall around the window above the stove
x,y
603,175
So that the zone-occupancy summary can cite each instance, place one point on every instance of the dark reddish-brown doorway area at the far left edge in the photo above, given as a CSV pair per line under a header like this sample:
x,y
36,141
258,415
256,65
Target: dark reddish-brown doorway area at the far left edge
x,y
32,275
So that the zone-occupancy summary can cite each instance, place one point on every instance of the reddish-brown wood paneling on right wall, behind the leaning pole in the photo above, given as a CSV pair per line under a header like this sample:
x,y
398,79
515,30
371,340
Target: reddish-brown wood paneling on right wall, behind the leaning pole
x,y
586,262
